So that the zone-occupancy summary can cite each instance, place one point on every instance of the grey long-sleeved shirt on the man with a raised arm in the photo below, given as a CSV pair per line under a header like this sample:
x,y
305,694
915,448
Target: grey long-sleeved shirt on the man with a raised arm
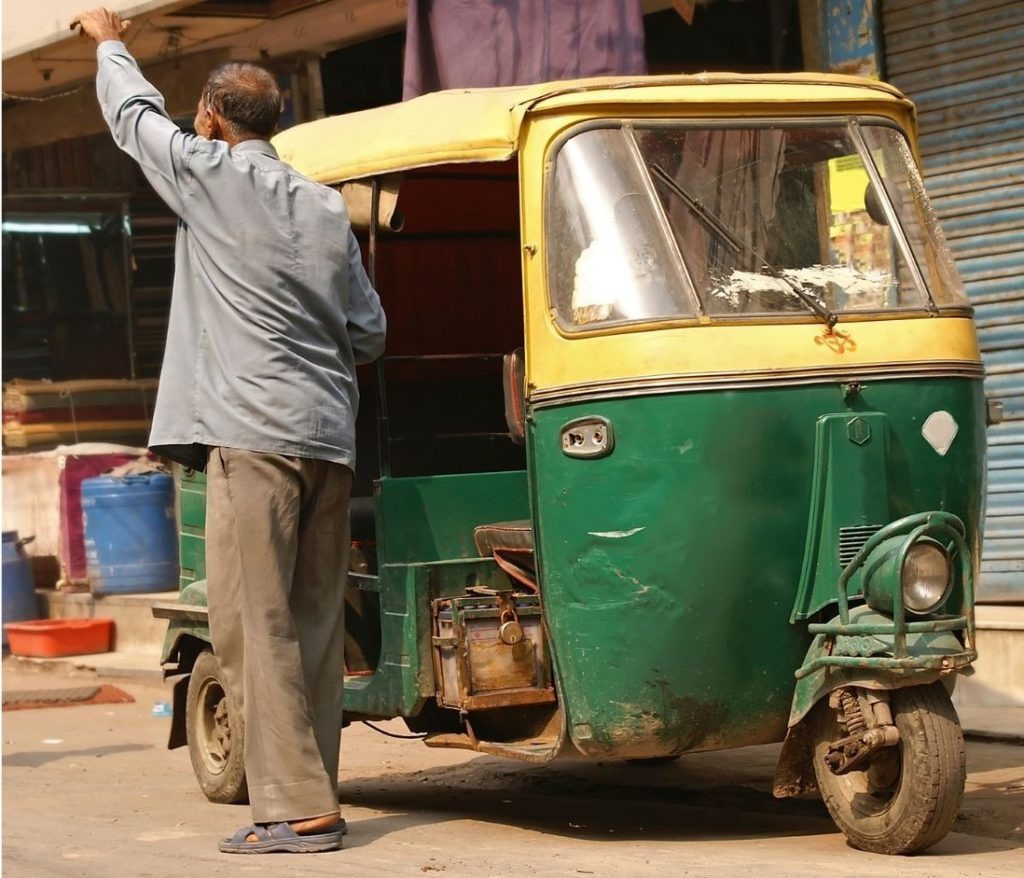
x,y
271,310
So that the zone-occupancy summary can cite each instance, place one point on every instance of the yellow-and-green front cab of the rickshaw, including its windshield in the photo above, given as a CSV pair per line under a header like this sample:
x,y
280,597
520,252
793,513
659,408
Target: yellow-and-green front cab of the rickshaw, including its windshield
x,y
705,466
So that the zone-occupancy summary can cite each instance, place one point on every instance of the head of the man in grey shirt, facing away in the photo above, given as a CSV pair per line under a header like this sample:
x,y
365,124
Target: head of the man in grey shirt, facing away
x,y
240,102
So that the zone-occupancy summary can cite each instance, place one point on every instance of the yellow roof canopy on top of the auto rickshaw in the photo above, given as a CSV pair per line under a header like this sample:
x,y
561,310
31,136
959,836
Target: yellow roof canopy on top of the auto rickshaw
x,y
483,124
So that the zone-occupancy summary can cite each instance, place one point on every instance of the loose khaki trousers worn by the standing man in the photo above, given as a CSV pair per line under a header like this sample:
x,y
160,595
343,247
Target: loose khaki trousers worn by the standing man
x,y
277,542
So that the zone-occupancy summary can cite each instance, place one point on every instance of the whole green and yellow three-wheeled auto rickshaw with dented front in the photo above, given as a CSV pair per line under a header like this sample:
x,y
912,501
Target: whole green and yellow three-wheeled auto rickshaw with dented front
x,y
678,444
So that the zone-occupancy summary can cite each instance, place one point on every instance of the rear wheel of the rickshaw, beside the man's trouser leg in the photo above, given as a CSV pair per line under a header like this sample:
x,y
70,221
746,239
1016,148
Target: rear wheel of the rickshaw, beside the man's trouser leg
x,y
217,735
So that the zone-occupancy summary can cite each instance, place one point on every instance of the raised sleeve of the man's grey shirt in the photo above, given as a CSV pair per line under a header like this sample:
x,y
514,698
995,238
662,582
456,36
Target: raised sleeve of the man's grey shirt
x,y
135,111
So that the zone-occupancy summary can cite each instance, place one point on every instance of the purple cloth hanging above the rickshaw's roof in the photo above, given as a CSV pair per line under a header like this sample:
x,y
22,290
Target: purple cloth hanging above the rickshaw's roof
x,y
480,44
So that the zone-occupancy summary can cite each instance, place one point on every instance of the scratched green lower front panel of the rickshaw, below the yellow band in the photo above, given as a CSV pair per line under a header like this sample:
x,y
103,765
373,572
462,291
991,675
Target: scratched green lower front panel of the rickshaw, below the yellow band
x,y
670,568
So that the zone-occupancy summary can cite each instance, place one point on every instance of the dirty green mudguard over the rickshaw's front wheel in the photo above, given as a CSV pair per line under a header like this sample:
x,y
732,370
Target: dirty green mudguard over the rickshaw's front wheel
x,y
931,656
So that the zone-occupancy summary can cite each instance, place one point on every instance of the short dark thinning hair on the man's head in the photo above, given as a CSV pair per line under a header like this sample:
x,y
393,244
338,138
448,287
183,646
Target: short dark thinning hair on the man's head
x,y
246,96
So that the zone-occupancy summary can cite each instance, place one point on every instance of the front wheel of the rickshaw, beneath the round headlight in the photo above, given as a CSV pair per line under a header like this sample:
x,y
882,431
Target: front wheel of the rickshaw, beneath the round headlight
x,y
908,797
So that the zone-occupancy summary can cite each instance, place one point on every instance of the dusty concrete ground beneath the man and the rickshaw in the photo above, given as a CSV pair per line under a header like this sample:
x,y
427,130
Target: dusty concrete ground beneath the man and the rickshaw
x,y
93,791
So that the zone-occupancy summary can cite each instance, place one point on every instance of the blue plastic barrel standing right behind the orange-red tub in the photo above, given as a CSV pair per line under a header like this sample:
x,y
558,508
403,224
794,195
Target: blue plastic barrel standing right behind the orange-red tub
x,y
131,534
